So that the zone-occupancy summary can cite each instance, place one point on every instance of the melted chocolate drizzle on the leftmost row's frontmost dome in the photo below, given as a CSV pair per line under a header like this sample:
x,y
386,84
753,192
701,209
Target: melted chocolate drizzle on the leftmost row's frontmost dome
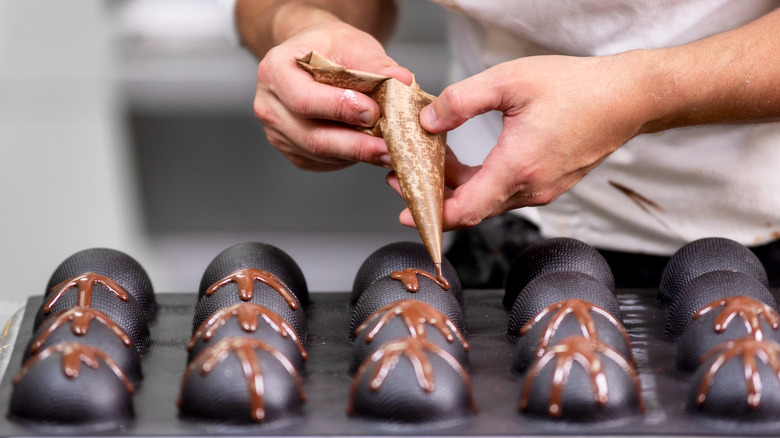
x,y
73,355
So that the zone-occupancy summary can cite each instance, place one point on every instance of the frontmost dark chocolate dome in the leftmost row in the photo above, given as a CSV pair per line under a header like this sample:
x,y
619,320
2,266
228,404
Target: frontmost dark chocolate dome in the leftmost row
x,y
97,397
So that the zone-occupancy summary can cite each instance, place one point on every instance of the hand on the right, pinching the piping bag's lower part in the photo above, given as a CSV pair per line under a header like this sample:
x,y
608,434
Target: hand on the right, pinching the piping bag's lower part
x,y
562,117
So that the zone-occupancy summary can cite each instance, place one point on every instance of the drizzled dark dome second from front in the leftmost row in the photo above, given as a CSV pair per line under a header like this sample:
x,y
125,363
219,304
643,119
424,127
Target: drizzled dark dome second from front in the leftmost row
x,y
104,337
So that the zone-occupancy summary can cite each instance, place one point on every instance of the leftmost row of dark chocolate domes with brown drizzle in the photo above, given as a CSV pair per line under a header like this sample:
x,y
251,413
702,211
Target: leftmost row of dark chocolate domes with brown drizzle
x,y
82,363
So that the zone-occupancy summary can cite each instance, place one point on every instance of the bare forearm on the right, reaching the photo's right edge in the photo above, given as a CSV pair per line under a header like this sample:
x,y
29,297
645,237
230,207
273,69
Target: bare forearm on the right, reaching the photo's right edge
x,y
732,77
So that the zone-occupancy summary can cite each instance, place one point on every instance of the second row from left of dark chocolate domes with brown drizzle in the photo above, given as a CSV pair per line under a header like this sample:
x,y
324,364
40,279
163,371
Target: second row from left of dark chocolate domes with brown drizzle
x,y
246,355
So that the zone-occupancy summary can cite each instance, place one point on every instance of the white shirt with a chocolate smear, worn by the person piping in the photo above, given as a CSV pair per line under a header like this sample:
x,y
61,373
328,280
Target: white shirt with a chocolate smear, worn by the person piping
x,y
700,181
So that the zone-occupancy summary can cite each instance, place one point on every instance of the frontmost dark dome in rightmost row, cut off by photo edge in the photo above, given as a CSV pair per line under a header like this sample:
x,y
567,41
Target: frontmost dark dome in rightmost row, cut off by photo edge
x,y
738,381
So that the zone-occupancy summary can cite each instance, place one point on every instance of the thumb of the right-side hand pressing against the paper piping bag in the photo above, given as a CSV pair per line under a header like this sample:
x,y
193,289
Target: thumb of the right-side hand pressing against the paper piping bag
x,y
460,102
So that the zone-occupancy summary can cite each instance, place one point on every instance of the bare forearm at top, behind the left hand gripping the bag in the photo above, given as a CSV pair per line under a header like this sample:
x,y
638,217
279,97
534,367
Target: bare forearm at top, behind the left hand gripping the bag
x,y
263,24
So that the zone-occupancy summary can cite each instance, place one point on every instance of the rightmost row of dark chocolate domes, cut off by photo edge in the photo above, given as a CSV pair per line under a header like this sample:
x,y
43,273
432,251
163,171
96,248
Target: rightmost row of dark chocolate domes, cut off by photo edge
x,y
725,321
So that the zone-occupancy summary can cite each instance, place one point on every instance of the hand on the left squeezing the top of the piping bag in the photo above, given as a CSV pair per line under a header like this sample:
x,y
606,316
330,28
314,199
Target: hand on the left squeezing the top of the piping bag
x,y
307,121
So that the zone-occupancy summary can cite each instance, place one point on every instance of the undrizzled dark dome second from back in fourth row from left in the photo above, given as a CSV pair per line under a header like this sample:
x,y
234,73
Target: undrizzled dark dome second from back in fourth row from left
x,y
556,286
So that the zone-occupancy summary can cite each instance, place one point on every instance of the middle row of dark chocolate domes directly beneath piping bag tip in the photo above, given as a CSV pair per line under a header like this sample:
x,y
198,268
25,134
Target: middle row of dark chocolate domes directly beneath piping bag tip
x,y
410,361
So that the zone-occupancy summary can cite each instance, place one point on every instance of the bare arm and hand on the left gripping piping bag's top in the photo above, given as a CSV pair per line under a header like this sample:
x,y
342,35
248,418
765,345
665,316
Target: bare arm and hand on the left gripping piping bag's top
x,y
296,112
